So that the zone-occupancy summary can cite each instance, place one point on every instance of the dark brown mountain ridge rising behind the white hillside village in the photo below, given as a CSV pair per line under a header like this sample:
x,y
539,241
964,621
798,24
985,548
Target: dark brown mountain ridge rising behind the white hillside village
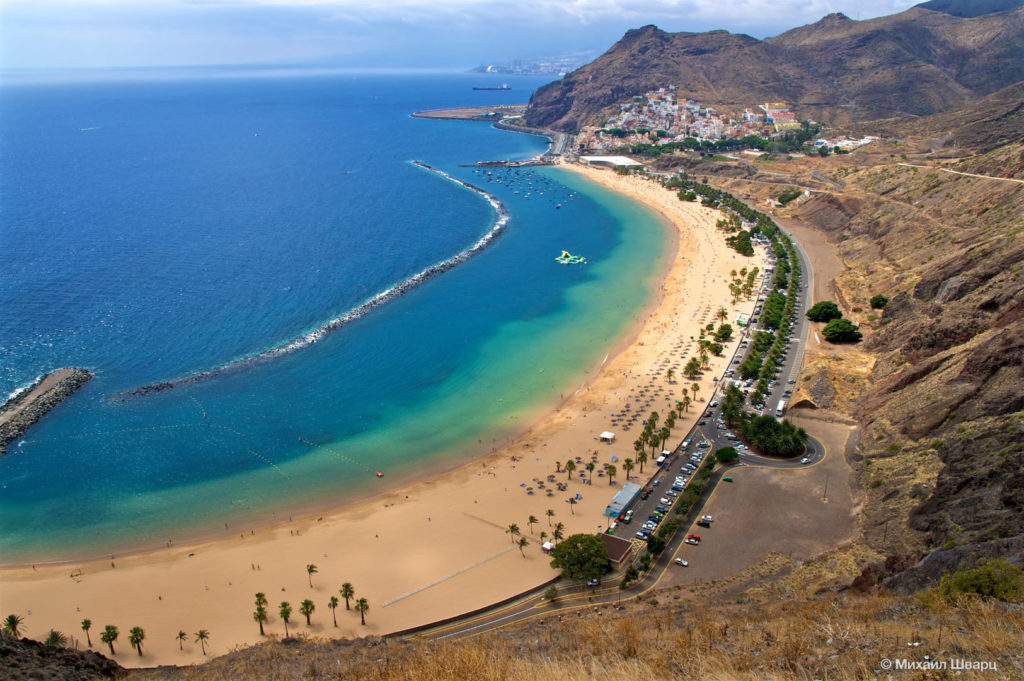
x,y
919,62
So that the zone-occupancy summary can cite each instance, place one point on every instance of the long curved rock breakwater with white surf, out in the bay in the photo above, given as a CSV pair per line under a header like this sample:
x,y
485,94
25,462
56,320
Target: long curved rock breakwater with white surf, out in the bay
x,y
309,338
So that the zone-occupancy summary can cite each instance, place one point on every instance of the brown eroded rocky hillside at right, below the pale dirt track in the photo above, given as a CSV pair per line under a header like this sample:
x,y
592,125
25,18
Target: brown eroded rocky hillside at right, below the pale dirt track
x,y
943,408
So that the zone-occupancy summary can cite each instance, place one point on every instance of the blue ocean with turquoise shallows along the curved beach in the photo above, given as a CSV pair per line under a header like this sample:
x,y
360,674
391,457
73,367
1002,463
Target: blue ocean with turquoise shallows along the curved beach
x,y
154,230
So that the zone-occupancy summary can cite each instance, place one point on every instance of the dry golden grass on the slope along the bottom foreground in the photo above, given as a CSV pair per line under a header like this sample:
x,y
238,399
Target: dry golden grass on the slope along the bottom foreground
x,y
838,639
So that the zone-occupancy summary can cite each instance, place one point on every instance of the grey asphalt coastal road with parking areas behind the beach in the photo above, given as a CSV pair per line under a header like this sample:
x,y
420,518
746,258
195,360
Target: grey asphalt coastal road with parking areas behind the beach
x,y
576,597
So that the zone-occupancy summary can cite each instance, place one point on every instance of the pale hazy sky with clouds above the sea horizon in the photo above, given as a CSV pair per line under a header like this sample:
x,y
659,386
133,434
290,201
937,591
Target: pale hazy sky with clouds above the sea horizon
x,y
372,33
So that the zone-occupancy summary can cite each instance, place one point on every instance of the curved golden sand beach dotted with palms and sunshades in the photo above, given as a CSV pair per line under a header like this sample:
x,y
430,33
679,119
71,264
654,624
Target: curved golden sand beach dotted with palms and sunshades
x,y
435,548
